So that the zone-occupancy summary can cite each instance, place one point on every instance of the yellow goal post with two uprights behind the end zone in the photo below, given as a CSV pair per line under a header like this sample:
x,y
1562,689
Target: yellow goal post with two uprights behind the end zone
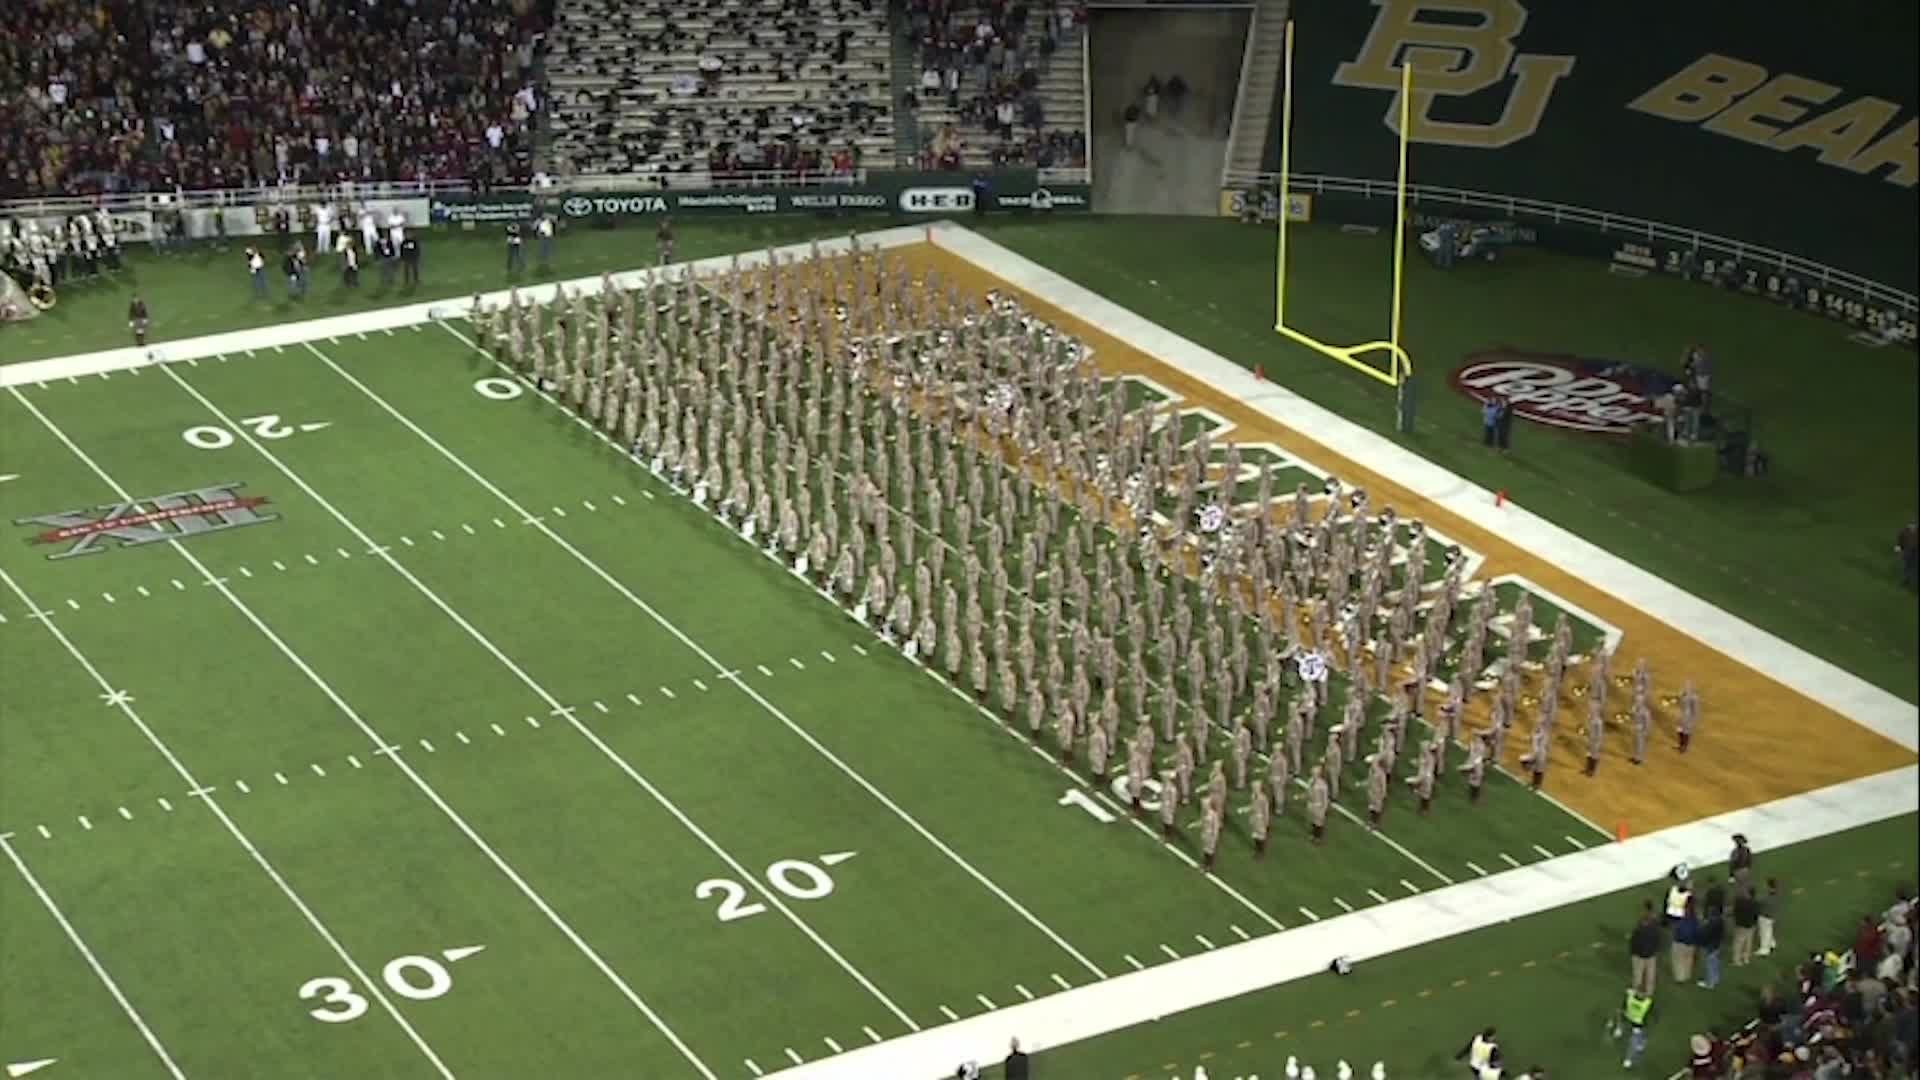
x,y
1401,366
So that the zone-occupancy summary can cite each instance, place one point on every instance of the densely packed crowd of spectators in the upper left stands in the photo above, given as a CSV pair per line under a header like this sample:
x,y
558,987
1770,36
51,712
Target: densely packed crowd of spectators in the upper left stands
x,y
141,95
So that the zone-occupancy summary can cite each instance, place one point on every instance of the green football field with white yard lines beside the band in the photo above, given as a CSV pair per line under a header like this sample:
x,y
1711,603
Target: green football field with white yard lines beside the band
x,y
368,714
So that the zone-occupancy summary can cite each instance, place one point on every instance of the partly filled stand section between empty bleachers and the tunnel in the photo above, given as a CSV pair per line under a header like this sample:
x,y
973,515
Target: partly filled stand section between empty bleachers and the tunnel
x,y
999,86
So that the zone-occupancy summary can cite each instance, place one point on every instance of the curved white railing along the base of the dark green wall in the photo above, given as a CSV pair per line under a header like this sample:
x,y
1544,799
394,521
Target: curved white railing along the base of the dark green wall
x,y
1562,214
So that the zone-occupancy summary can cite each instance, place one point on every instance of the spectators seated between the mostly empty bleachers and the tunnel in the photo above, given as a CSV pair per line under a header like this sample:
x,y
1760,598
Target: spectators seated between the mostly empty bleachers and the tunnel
x,y
984,66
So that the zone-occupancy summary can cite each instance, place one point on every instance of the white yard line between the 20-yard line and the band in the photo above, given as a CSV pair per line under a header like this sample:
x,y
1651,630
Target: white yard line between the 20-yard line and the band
x,y
709,660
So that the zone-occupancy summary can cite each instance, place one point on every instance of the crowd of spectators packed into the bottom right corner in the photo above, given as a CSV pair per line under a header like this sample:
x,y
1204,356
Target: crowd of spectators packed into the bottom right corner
x,y
1848,1012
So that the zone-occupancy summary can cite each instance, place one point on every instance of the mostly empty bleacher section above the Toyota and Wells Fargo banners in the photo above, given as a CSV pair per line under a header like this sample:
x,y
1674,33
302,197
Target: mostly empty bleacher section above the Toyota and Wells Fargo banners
x,y
740,89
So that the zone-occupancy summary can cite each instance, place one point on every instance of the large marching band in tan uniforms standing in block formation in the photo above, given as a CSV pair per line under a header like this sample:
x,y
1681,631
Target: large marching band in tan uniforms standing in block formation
x,y
961,476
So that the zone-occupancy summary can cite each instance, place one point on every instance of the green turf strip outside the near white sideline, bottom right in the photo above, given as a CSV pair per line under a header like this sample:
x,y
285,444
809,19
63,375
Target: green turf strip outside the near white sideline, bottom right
x,y
1548,983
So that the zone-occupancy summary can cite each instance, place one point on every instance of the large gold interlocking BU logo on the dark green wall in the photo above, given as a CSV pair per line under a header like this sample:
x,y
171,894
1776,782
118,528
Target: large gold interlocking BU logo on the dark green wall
x,y
1456,59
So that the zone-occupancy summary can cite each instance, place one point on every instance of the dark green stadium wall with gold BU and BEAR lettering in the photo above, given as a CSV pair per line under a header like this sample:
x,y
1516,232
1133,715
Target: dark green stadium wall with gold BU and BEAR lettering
x,y
1620,109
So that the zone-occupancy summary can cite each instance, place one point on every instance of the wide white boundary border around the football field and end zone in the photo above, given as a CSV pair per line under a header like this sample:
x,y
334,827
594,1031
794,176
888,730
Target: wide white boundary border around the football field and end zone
x,y
1237,970
